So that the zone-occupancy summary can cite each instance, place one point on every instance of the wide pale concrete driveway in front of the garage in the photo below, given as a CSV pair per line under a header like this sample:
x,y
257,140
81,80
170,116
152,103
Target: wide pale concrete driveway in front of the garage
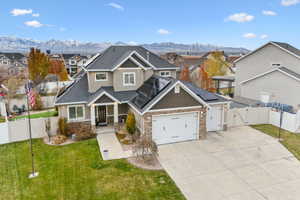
x,y
239,164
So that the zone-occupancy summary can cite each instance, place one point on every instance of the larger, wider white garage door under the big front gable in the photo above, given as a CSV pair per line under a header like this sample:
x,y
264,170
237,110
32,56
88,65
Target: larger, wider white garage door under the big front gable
x,y
175,128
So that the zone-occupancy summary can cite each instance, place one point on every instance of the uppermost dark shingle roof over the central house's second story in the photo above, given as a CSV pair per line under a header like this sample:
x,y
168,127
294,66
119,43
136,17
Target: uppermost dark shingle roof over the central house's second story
x,y
115,54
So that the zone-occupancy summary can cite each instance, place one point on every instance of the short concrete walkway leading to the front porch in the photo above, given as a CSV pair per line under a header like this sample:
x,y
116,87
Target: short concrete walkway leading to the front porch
x,y
110,143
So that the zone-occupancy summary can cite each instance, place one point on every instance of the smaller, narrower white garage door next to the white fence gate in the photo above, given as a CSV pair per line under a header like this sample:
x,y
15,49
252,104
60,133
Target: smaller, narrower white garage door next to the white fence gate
x,y
214,119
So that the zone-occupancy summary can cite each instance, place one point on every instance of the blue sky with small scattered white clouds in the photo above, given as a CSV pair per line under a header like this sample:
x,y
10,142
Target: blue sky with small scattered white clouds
x,y
236,23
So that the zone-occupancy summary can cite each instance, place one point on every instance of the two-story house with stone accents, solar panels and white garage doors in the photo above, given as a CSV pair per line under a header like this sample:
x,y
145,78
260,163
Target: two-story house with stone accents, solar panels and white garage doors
x,y
125,79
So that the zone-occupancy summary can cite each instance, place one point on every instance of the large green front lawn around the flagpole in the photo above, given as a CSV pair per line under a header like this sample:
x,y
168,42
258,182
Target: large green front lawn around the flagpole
x,y
76,171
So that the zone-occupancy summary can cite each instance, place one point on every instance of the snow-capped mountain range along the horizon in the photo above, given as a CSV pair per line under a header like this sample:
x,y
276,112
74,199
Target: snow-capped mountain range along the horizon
x,y
15,44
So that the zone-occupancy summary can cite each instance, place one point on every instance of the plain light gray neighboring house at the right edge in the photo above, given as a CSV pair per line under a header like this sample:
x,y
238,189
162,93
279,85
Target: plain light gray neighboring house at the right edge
x,y
270,73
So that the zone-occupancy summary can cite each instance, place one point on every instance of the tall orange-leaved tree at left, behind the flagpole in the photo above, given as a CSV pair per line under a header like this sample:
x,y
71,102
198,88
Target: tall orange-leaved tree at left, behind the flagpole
x,y
38,66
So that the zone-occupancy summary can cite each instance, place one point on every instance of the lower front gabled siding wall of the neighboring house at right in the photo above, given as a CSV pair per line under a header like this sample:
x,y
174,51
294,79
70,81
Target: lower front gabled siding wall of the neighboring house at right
x,y
282,88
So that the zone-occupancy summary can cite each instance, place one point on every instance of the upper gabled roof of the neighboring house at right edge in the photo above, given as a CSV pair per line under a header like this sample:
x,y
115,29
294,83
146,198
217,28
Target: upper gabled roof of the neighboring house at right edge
x,y
284,46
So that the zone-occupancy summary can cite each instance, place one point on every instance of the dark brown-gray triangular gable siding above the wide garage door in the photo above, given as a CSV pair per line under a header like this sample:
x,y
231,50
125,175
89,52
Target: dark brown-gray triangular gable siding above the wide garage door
x,y
173,100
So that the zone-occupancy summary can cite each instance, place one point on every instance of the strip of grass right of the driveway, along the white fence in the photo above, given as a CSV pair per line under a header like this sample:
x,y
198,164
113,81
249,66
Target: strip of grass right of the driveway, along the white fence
x,y
290,140
